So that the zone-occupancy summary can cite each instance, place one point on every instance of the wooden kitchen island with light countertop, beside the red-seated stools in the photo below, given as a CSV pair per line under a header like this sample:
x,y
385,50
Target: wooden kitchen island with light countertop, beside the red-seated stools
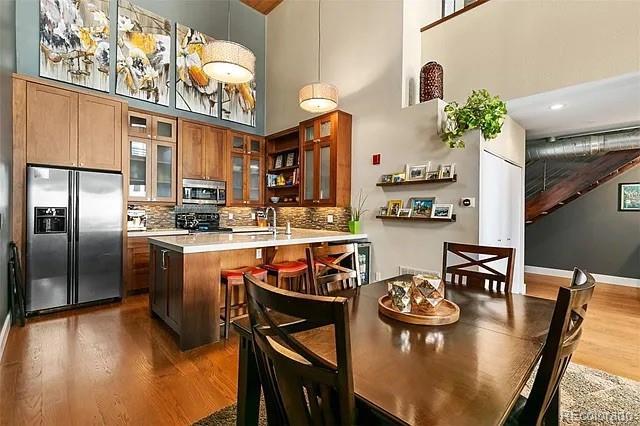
x,y
185,273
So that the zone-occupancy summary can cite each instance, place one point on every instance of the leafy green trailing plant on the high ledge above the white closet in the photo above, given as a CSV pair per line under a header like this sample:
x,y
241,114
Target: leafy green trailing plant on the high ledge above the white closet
x,y
481,111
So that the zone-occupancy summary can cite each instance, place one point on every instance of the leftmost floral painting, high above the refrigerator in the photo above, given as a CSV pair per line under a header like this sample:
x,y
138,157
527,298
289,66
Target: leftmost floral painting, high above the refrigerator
x,y
74,42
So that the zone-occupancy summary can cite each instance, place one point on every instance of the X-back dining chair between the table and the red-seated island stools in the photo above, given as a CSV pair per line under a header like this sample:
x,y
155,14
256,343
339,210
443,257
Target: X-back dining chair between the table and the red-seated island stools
x,y
325,269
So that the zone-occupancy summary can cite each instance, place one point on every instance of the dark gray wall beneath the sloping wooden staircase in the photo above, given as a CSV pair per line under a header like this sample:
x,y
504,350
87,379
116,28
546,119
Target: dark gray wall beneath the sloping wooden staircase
x,y
589,233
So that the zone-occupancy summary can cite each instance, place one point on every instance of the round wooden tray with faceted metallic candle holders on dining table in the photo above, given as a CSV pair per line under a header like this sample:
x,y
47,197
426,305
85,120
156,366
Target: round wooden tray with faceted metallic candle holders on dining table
x,y
420,301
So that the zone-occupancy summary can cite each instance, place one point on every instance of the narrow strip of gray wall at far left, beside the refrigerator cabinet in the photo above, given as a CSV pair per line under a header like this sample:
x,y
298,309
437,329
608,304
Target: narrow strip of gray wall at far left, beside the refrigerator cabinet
x,y
7,66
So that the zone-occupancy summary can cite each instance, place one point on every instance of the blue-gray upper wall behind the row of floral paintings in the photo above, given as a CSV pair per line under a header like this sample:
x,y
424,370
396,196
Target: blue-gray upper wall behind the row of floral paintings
x,y
208,16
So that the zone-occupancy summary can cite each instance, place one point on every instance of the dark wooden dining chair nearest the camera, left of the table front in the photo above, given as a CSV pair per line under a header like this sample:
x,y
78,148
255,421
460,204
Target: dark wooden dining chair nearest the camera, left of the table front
x,y
300,387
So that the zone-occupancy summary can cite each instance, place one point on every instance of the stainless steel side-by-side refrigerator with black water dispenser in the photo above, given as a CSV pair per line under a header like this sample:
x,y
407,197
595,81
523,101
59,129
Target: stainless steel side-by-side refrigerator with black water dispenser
x,y
74,237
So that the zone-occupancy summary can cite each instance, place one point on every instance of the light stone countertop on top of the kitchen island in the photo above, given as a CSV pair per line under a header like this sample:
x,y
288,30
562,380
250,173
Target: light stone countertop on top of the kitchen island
x,y
207,242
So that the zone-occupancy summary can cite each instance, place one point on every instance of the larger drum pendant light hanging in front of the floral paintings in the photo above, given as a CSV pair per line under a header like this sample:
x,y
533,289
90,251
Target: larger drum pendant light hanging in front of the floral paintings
x,y
227,61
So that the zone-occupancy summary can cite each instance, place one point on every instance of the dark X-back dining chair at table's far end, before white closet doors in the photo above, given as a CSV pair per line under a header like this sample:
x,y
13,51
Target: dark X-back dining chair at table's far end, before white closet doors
x,y
479,258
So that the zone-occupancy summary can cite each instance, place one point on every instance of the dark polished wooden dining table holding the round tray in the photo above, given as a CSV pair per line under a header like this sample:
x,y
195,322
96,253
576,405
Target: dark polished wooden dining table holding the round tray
x,y
467,373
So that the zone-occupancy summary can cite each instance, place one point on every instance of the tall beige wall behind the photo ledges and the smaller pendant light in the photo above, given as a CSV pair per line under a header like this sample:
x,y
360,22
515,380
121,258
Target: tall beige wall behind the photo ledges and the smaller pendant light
x,y
362,56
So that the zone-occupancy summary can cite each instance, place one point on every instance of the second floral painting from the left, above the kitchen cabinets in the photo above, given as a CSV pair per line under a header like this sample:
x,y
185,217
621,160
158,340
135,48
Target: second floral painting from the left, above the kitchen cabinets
x,y
143,55
